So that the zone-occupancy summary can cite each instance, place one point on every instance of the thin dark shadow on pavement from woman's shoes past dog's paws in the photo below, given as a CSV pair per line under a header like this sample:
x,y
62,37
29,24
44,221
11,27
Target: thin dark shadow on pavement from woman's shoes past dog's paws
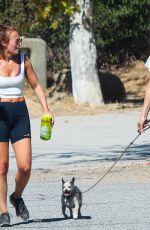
x,y
49,220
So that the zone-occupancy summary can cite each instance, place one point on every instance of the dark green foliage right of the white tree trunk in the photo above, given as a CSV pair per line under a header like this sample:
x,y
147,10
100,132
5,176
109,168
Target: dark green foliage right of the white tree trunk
x,y
122,30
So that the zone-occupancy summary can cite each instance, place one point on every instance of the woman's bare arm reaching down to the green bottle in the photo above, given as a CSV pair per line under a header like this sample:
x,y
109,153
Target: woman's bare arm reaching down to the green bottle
x,y
37,88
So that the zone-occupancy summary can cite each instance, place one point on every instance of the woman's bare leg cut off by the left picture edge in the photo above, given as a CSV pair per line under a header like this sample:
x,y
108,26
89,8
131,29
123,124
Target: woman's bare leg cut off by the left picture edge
x,y
4,163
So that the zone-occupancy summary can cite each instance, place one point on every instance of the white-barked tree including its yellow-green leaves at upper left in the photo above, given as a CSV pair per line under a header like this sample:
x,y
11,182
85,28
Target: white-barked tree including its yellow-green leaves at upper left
x,y
85,83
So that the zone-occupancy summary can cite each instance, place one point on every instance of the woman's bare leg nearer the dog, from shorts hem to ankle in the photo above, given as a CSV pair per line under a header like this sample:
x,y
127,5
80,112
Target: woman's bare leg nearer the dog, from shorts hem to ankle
x,y
23,155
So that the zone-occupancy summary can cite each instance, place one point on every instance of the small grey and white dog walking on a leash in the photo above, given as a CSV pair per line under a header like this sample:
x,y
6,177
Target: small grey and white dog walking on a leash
x,y
71,198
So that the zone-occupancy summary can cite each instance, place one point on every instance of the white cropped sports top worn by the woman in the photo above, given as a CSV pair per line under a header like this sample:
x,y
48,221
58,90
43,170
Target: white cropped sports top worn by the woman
x,y
12,87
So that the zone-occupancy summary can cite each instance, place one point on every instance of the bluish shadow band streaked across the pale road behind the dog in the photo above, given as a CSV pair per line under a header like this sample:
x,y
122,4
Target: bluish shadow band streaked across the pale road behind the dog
x,y
101,154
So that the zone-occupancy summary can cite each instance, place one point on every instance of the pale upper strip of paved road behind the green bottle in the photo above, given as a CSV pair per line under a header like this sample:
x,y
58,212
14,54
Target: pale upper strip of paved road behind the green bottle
x,y
85,140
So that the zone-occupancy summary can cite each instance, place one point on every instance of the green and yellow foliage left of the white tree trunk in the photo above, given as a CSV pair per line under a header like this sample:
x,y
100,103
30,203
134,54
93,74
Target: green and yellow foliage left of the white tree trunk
x,y
35,18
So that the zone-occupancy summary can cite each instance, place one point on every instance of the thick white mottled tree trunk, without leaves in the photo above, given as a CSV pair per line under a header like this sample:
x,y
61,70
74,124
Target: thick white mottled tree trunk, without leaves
x,y
85,82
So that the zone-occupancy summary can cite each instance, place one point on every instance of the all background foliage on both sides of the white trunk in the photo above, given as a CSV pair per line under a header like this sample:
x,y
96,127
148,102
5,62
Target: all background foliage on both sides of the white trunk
x,y
121,27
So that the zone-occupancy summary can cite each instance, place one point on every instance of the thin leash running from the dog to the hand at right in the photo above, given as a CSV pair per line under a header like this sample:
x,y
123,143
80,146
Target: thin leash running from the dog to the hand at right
x,y
147,126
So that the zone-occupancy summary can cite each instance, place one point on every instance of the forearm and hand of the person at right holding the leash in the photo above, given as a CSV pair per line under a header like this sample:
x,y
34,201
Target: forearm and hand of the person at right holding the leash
x,y
145,108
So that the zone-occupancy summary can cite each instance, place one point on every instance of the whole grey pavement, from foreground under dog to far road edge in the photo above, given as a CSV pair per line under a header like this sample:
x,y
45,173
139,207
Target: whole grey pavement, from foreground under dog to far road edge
x,y
79,145
